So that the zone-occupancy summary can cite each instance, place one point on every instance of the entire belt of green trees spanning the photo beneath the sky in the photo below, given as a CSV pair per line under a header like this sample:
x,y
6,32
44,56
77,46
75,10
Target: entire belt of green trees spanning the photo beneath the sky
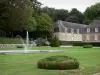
x,y
19,16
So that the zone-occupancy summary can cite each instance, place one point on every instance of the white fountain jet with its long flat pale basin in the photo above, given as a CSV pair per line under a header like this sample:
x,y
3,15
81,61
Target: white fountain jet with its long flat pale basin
x,y
26,47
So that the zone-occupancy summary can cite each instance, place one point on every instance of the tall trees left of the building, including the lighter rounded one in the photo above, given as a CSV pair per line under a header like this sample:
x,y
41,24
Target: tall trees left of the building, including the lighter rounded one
x,y
18,16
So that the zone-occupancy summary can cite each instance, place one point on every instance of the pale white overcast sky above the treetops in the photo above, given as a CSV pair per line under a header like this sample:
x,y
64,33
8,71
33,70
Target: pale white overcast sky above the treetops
x,y
69,4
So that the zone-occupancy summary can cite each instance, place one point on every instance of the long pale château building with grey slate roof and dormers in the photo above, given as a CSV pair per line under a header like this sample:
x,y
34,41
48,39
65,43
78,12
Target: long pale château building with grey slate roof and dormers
x,y
67,31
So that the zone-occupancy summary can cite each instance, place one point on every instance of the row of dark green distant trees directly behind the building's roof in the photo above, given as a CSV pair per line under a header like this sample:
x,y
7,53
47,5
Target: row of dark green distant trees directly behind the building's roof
x,y
61,14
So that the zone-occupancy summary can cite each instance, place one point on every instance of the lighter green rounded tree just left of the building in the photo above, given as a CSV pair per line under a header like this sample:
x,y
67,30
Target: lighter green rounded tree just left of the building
x,y
45,25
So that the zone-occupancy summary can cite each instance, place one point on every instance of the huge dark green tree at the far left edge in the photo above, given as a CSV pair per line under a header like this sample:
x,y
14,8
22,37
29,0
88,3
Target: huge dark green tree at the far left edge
x,y
14,15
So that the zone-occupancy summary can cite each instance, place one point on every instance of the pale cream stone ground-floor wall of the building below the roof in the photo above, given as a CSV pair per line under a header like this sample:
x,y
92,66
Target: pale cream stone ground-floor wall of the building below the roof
x,y
89,37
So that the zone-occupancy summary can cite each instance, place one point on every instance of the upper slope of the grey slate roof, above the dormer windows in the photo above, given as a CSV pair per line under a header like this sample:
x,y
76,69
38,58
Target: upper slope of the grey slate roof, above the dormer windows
x,y
94,24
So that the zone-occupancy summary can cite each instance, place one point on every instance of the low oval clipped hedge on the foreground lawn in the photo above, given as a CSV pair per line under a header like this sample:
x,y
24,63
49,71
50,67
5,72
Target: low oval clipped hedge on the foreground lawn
x,y
58,62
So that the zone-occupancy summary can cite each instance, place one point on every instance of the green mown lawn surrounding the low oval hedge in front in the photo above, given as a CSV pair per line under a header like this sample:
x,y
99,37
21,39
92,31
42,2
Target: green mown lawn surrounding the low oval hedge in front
x,y
26,64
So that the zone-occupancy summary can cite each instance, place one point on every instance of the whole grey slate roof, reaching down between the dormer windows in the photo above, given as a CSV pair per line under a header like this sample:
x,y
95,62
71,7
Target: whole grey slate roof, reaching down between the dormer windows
x,y
61,25
